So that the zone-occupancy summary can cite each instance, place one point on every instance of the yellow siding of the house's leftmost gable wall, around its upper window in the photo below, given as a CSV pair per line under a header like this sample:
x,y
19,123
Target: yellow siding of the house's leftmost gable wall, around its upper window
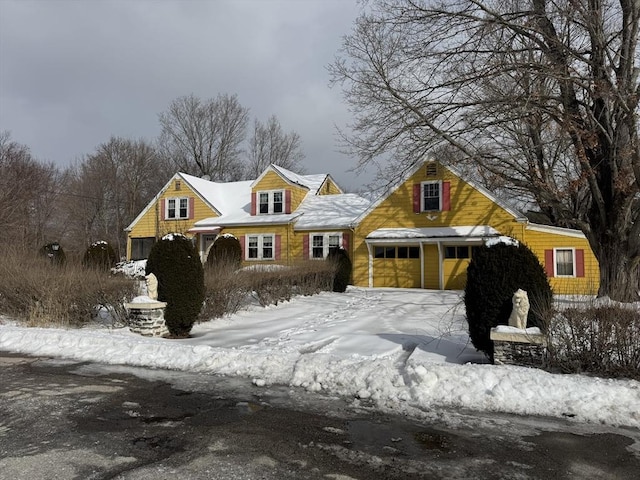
x,y
151,224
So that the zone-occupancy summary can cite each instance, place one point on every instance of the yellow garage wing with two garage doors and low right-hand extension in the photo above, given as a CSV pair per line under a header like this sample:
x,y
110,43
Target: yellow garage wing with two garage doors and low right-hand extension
x,y
422,234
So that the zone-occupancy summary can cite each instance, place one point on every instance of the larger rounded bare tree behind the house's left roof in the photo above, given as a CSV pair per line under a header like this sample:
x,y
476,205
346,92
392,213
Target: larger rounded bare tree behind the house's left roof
x,y
205,137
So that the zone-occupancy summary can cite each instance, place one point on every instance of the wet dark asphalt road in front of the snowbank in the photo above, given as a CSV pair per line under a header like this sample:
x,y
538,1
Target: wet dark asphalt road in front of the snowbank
x,y
64,420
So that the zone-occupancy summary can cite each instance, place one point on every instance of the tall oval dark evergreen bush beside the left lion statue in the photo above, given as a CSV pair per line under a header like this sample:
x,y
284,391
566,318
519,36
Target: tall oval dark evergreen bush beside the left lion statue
x,y
176,263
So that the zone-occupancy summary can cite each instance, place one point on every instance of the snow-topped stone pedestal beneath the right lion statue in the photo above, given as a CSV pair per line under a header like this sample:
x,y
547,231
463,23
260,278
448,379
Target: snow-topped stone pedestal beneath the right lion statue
x,y
516,346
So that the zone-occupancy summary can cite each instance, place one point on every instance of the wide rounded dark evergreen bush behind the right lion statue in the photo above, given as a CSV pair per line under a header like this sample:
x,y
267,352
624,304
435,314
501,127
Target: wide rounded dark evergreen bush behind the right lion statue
x,y
493,276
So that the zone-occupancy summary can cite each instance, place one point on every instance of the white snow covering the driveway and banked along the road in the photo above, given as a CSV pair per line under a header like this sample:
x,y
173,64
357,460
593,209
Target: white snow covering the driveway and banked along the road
x,y
398,349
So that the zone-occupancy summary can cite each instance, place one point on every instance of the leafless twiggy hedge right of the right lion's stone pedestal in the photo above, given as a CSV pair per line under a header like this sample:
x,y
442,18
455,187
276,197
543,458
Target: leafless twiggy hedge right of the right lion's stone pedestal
x,y
601,340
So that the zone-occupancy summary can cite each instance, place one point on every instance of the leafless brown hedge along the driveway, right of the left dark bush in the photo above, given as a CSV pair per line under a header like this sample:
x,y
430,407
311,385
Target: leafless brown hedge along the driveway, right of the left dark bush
x,y
228,290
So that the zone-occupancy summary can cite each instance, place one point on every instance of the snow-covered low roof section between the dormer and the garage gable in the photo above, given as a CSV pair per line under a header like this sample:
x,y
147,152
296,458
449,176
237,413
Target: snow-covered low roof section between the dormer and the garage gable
x,y
330,211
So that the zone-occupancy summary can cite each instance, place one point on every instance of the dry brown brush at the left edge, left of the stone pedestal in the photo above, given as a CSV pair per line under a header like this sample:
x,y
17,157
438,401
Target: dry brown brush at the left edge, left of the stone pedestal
x,y
39,293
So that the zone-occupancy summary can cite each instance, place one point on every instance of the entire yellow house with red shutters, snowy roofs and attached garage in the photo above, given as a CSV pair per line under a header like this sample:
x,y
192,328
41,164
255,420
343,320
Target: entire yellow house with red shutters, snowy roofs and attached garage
x,y
420,234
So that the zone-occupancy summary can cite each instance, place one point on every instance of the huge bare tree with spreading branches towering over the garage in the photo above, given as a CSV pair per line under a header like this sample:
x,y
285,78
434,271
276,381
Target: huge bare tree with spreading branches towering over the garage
x,y
540,94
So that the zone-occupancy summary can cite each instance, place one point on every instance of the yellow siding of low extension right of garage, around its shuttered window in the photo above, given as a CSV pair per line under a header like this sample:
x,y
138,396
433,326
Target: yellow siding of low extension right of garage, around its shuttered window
x,y
538,242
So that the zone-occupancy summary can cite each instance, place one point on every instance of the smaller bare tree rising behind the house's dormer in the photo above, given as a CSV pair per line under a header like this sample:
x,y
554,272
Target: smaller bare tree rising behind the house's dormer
x,y
269,144
